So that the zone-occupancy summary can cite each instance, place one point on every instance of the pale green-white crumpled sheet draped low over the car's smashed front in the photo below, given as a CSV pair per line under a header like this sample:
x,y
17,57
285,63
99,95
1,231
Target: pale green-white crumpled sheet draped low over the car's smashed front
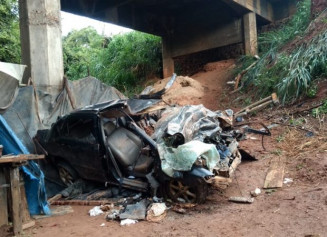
x,y
183,157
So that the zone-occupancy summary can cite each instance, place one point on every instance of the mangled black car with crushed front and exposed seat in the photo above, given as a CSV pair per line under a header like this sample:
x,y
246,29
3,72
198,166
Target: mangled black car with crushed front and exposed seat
x,y
141,145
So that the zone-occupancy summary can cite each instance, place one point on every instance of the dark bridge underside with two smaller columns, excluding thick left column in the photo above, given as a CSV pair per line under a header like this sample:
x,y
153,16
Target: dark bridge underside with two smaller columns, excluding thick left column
x,y
188,26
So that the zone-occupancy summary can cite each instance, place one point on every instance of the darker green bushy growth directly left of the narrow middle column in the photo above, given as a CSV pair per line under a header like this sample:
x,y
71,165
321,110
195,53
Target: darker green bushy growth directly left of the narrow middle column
x,y
130,59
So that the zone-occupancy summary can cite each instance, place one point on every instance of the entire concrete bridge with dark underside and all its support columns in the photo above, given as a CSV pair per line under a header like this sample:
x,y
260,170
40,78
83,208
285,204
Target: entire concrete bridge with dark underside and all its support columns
x,y
186,26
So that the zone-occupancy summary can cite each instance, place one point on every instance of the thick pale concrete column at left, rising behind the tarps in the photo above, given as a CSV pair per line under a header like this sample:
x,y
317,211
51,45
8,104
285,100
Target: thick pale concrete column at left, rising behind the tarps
x,y
41,43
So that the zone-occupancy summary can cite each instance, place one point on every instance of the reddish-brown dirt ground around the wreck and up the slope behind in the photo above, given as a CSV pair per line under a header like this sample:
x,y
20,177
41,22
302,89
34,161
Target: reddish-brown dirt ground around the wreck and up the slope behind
x,y
297,209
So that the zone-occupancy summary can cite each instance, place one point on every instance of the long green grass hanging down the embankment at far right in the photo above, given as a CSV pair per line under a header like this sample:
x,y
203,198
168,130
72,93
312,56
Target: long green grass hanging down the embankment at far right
x,y
288,73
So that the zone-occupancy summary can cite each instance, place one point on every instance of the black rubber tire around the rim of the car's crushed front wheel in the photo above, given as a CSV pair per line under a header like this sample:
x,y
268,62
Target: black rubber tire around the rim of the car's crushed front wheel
x,y
196,185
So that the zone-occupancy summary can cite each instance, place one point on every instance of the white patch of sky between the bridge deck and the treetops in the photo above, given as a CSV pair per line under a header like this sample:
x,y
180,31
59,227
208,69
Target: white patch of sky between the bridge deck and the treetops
x,y
71,22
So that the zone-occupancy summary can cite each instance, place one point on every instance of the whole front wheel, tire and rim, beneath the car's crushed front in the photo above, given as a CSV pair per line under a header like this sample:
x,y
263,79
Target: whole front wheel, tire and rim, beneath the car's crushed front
x,y
190,190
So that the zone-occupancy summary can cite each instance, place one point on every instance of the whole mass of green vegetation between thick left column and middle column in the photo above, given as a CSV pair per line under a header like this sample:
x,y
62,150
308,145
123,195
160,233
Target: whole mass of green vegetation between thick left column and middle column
x,y
123,61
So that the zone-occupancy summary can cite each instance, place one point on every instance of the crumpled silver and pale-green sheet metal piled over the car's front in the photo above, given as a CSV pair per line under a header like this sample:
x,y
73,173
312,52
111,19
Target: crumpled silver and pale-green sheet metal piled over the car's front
x,y
195,123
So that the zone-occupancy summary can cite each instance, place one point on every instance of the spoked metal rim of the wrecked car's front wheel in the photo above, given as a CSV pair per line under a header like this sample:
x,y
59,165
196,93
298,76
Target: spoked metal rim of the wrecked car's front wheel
x,y
179,190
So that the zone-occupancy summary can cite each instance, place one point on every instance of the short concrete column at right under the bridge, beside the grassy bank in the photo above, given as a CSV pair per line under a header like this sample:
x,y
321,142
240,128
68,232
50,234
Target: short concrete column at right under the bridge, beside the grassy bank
x,y
250,34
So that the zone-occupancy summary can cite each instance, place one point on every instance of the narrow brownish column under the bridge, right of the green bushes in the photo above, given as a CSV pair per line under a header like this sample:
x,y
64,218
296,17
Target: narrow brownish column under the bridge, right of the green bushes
x,y
167,59
